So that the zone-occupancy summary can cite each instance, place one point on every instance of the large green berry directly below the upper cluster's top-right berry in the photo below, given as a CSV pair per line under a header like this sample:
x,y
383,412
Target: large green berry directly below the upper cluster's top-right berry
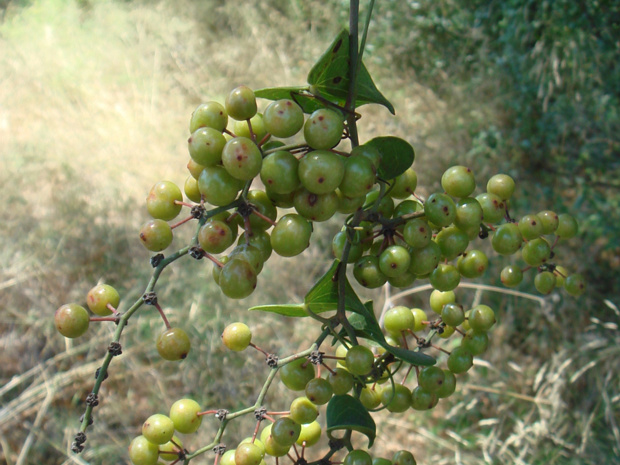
x,y
321,171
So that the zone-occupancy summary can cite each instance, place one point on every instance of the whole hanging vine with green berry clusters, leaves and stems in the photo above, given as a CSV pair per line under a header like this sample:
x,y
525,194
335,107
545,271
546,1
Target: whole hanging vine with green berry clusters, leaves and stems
x,y
258,182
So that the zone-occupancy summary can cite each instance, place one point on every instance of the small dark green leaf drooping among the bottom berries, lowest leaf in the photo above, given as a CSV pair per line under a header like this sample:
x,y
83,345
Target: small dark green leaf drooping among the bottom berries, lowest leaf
x,y
347,413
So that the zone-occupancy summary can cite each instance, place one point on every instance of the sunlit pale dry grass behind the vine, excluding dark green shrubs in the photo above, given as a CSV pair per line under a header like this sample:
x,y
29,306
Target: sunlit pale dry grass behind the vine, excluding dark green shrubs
x,y
94,105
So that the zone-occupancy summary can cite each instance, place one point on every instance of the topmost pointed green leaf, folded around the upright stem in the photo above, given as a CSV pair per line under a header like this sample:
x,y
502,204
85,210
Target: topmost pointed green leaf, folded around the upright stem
x,y
330,76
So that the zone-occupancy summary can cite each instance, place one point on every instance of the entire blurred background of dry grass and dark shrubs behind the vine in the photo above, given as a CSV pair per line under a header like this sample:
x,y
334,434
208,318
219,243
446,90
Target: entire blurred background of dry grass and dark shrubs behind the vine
x,y
95,98
